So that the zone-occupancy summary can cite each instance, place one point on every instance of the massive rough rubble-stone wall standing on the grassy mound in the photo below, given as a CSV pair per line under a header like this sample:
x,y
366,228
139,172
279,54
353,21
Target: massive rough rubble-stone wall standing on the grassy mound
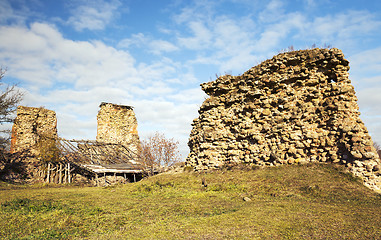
x,y
297,107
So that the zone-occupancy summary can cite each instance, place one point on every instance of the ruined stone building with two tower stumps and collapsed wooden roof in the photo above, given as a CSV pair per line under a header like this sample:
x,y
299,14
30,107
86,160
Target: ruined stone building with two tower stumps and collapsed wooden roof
x,y
35,131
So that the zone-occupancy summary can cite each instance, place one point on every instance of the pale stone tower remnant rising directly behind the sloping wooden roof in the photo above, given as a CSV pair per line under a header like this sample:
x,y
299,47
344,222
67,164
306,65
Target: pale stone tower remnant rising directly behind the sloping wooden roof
x,y
118,124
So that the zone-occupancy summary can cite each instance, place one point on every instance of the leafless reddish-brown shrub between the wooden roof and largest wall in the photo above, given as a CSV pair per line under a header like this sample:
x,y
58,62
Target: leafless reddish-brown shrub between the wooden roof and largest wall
x,y
157,152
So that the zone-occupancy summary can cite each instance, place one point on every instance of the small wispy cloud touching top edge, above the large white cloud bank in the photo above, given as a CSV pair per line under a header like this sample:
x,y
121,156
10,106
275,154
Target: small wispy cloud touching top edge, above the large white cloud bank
x,y
93,15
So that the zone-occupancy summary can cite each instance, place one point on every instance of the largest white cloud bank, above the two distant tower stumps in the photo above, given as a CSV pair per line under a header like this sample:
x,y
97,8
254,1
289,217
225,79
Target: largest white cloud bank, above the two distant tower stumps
x,y
48,57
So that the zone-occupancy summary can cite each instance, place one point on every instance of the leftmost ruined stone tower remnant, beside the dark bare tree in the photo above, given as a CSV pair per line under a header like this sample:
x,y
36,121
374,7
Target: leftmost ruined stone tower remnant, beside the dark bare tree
x,y
29,125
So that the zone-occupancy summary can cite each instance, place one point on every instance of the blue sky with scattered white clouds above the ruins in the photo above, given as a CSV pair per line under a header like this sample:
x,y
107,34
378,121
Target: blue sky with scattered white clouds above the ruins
x,y
69,56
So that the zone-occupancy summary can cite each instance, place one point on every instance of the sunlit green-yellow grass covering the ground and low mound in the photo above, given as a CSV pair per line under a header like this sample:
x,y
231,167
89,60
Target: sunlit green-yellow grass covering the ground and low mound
x,y
289,202
